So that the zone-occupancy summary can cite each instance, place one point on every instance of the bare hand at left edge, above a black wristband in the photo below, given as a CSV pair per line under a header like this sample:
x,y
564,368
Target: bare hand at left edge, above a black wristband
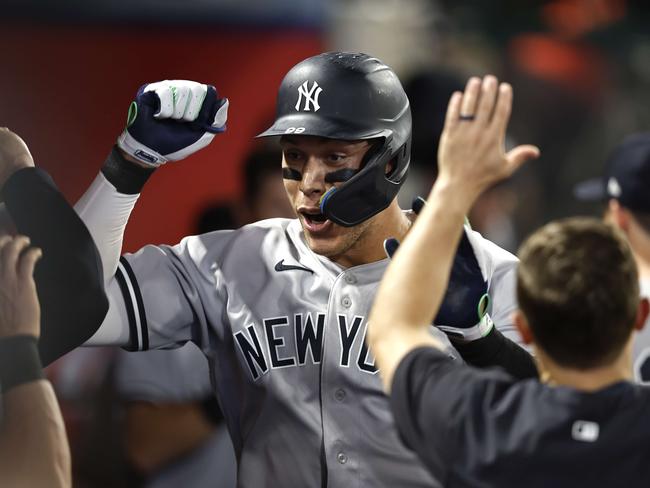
x,y
19,308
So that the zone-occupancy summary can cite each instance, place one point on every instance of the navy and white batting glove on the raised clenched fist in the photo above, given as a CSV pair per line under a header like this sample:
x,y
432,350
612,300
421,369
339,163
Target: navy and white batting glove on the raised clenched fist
x,y
169,120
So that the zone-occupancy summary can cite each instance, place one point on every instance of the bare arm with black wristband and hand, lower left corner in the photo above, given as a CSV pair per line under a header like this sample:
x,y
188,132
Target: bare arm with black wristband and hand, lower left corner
x,y
33,444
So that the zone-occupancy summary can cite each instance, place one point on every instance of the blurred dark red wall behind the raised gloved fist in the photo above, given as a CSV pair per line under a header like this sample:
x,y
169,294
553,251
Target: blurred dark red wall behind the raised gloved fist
x,y
66,81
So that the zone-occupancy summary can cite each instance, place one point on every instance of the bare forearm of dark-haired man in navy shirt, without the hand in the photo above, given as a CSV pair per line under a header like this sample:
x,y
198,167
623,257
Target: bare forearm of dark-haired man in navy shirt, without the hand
x,y
414,284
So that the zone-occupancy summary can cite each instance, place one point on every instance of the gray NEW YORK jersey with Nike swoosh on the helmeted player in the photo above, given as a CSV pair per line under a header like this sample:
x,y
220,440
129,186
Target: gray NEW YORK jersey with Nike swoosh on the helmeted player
x,y
284,332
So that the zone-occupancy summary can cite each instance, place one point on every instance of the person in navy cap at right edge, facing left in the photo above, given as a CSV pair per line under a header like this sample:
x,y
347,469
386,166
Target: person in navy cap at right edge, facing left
x,y
625,187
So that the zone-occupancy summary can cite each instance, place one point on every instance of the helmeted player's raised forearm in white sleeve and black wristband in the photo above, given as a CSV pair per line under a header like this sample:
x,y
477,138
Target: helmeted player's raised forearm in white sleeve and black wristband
x,y
106,206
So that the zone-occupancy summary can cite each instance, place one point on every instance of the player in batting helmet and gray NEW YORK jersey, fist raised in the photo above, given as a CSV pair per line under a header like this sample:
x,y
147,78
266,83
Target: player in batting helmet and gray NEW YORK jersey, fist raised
x,y
279,306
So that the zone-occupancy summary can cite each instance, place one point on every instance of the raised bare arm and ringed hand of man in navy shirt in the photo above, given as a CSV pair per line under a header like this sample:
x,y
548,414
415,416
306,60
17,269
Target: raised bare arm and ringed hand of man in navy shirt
x,y
471,158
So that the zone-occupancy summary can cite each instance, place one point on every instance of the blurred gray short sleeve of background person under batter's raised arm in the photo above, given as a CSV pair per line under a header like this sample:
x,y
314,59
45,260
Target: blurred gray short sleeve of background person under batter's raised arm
x,y
175,376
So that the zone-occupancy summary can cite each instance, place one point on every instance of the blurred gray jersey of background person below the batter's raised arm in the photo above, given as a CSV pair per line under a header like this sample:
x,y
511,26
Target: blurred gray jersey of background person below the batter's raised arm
x,y
180,375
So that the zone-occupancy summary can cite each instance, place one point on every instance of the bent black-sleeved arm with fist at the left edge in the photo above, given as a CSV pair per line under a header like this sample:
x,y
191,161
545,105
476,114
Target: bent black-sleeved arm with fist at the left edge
x,y
68,279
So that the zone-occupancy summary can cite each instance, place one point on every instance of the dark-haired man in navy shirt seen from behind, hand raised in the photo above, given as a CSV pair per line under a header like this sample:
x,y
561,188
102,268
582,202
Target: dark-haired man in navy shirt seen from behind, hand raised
x,y
579,307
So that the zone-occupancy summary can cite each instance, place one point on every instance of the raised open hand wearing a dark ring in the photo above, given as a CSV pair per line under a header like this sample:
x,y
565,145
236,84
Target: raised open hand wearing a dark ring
x,y
471,153
